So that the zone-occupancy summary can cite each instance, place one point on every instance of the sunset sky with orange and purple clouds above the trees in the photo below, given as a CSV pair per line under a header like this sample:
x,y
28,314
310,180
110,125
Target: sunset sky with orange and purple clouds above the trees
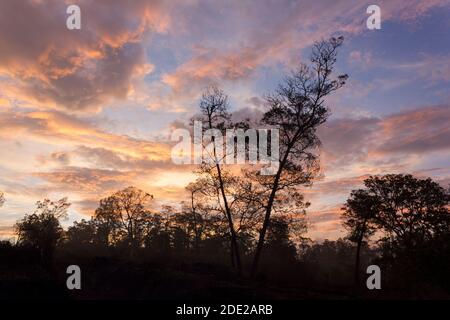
x,y
84,113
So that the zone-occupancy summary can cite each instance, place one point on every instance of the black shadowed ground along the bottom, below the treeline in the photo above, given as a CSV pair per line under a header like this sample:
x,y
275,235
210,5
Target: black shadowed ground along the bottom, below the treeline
x,y
111,277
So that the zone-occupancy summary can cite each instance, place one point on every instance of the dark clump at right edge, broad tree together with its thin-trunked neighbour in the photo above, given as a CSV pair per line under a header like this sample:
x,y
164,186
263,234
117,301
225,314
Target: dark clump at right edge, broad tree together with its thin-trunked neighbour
x,y
411,213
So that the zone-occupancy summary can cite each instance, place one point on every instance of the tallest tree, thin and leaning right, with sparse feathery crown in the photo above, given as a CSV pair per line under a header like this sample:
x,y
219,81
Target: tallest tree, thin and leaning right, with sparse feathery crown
x,y
297,109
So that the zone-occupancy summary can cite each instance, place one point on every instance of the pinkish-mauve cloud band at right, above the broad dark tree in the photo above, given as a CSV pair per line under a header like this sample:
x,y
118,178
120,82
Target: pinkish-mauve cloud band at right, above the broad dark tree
x,y
420,131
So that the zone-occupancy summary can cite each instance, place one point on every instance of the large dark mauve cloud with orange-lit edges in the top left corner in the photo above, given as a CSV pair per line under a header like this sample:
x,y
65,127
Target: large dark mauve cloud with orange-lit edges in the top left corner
x,y
48,65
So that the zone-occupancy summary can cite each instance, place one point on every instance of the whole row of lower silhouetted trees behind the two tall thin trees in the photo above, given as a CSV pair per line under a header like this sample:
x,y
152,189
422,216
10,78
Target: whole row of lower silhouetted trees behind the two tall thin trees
x,y
399,222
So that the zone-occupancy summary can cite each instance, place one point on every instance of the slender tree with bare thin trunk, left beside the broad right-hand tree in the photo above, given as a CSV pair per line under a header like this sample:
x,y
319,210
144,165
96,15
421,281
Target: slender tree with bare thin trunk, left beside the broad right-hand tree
x,y
359,212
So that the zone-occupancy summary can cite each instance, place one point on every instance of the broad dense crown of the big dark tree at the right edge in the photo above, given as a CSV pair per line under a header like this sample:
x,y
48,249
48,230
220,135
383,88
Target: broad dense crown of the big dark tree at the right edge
x,y
409,210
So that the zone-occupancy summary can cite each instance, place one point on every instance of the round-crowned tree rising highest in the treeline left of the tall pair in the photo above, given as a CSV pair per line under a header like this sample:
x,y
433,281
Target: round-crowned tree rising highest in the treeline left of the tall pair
x,y
124,215
